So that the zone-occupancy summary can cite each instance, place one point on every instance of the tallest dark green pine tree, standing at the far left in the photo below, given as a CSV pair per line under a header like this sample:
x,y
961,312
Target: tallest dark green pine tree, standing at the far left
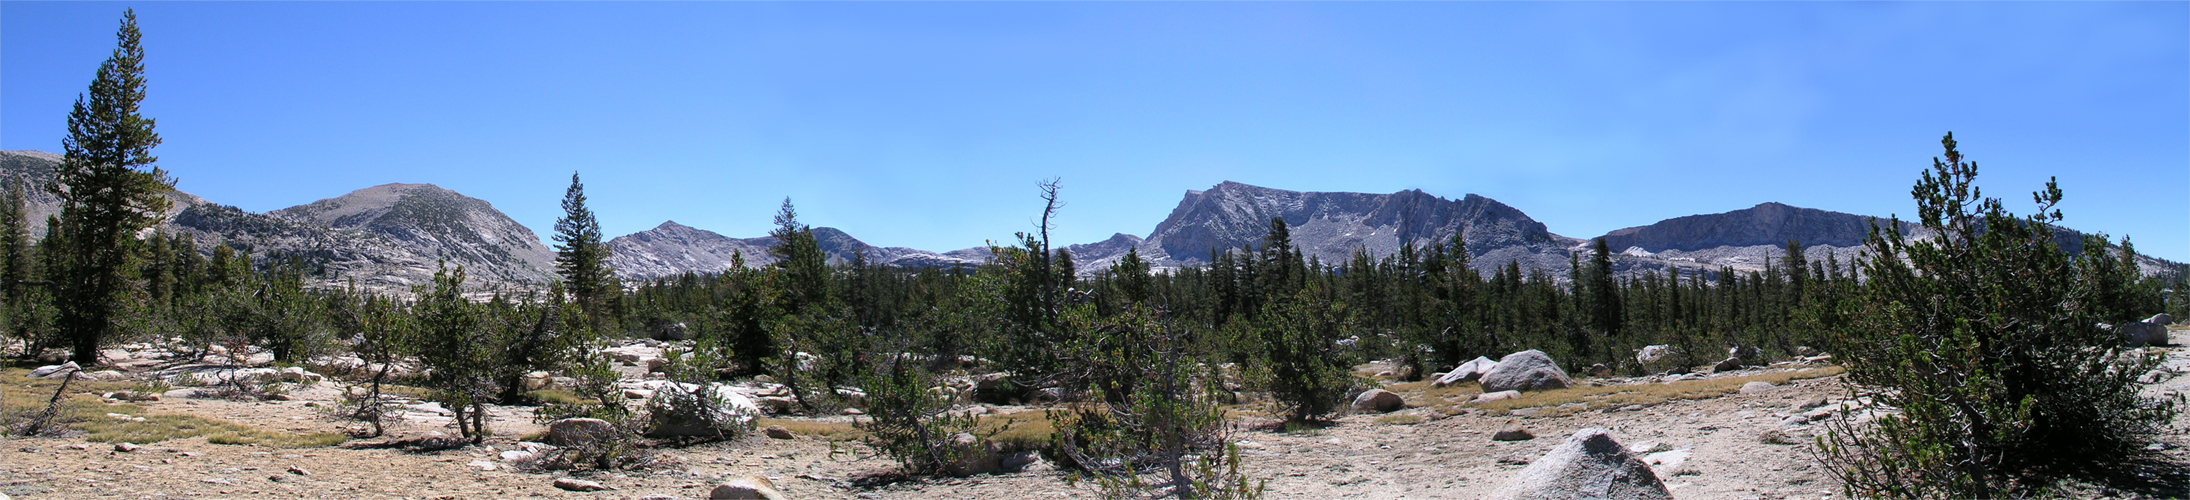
x,y
108,190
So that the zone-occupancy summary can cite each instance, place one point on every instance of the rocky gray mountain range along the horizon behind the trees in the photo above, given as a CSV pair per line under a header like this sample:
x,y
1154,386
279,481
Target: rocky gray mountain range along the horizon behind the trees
x,y
395,236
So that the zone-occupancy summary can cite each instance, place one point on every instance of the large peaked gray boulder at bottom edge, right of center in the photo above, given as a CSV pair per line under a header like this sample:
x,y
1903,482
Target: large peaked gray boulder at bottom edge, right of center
x,y
1587,466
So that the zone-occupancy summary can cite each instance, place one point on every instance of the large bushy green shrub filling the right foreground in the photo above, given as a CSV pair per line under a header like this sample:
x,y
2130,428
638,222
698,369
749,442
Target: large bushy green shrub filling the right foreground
x,y
1981,352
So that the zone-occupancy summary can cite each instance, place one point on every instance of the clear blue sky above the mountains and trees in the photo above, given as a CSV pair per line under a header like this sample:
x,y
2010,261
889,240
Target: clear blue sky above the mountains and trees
x,y
927,126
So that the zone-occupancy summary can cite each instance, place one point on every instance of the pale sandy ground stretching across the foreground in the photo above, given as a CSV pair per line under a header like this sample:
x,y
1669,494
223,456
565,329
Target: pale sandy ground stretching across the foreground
x,y
1451,457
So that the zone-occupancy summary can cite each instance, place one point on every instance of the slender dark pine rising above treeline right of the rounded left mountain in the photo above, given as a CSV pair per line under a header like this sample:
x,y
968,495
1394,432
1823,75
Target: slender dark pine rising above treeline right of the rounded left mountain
x,y
584,260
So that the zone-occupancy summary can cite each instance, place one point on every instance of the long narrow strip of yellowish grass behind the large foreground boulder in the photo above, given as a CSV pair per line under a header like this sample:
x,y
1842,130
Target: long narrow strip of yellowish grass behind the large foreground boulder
x,y
1598,398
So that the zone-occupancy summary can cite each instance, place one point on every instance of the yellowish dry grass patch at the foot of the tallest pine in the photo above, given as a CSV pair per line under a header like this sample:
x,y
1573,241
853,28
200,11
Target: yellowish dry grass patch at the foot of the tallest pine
x,y
95,418
